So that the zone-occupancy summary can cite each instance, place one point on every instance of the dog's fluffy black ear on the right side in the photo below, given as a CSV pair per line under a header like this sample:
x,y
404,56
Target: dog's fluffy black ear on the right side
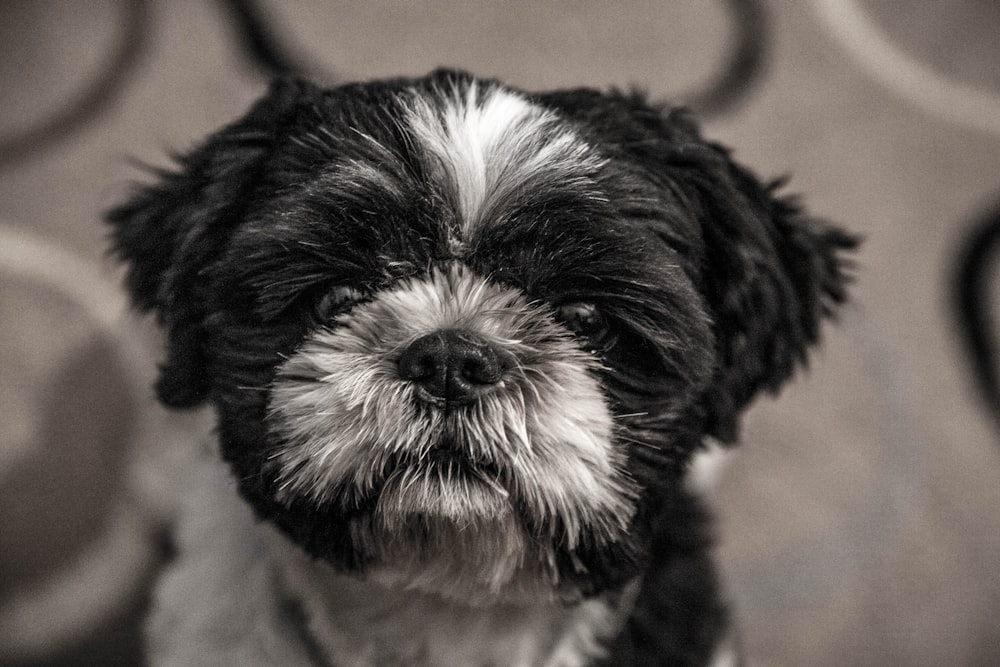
x,y
769,272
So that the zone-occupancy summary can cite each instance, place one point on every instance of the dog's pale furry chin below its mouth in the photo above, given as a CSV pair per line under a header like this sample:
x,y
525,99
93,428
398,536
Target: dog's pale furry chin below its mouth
x,y
449,526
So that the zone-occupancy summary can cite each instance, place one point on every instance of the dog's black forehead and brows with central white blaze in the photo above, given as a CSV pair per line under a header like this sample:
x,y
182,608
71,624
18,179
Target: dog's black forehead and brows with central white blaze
x,y
380,184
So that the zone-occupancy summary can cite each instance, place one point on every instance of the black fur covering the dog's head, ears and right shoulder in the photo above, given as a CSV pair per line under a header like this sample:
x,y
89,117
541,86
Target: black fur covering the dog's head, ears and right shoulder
x,y
715,287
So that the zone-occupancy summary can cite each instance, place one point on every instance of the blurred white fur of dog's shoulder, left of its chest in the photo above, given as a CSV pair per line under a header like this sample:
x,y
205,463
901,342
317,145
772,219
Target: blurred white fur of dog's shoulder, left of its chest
x,y
218,605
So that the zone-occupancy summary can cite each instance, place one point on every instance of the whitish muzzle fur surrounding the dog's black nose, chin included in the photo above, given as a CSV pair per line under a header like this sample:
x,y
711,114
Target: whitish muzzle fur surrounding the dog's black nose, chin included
x,y
343,411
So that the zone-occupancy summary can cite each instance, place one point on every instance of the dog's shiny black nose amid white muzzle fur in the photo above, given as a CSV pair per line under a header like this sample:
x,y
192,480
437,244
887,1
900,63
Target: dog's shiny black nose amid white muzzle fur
x,y
451,367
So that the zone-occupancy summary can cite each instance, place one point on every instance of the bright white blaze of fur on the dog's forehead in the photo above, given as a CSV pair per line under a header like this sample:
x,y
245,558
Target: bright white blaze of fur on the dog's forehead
x,y
488,143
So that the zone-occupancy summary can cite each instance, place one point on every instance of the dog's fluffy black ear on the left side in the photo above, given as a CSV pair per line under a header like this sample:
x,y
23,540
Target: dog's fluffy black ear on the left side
x,y
168,231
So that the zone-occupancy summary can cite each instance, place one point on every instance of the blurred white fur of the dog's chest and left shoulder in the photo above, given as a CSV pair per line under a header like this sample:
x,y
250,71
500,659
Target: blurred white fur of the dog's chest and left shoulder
x,y
224,602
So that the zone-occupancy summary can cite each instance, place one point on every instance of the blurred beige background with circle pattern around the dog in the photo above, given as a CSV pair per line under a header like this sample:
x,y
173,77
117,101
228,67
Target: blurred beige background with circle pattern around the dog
x,y
860,522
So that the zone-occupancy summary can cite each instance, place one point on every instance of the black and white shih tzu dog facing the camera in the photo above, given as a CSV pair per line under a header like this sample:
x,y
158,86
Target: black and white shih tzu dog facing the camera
x,y
462,343
